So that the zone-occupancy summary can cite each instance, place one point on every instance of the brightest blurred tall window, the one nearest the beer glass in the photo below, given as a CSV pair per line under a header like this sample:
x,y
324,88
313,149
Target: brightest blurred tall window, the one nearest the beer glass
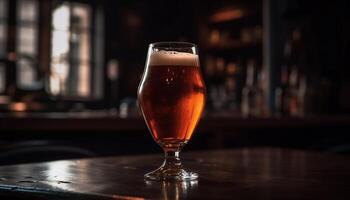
x,y
71,68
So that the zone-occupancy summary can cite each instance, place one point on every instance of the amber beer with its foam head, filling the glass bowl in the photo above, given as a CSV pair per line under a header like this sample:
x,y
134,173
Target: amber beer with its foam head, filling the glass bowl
x,y
172,96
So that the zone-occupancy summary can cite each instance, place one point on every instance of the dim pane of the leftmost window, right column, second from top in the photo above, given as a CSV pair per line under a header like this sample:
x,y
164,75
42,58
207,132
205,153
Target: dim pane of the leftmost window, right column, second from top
x,y
27,40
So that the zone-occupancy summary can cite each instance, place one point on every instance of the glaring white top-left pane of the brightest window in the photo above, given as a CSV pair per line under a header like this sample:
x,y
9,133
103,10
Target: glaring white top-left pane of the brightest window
x,y
60,18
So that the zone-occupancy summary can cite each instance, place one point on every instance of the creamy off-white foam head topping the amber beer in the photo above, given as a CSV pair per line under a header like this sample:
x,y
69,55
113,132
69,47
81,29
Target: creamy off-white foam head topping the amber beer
x,y
173,58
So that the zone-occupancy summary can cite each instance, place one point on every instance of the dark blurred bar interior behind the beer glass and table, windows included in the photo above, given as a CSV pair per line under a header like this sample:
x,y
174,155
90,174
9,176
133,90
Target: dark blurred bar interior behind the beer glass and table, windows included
x,y
277,74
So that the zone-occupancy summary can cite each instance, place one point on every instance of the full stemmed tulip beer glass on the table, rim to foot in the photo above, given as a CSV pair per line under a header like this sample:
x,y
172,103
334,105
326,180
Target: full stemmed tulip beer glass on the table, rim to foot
x,y
171,97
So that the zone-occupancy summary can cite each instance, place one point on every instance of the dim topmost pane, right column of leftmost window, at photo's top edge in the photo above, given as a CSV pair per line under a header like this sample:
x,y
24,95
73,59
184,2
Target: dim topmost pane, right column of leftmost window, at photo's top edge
x,y
27,10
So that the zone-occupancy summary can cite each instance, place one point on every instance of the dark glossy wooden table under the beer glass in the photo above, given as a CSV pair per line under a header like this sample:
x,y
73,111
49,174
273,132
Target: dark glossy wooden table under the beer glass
x,y
226,174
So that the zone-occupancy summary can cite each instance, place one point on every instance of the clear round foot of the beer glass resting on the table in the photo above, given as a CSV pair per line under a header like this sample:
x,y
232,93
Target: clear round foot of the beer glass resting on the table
x,y
163,174
